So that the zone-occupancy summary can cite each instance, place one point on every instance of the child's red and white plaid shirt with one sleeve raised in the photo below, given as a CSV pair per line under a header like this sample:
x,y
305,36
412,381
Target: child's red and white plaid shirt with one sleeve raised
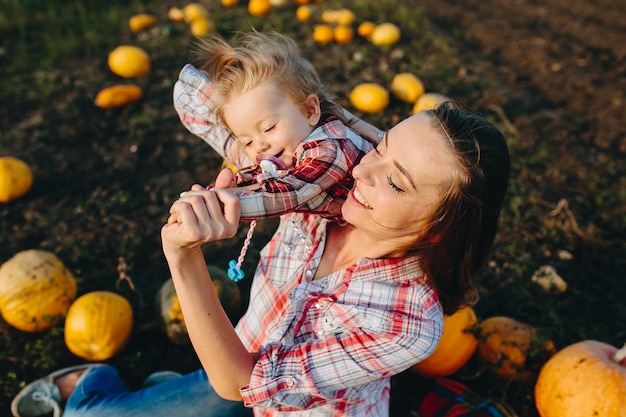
x,y
322,174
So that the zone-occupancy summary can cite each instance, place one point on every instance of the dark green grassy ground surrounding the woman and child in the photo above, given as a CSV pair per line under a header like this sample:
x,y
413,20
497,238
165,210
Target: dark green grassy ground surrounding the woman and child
x,y
104,180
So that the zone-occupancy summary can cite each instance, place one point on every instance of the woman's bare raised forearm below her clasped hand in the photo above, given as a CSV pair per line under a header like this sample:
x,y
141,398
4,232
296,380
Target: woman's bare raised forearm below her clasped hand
x,y
226,361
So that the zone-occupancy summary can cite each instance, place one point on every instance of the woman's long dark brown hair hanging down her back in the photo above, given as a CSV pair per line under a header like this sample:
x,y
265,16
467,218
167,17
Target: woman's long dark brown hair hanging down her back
x,y
464,225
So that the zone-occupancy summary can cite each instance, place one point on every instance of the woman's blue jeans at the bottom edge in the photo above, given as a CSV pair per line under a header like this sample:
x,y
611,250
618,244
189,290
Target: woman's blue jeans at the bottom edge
x,y
101,393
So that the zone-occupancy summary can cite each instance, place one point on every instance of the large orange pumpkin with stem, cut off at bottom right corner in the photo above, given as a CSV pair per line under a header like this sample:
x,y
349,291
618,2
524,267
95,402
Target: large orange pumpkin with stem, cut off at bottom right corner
x,y
584,379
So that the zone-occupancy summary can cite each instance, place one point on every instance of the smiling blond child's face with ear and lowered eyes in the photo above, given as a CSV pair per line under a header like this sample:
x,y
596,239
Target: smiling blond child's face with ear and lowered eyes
x,y
266,121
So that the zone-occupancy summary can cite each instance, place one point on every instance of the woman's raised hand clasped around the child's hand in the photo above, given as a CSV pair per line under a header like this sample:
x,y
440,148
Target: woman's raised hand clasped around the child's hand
x,y
200,216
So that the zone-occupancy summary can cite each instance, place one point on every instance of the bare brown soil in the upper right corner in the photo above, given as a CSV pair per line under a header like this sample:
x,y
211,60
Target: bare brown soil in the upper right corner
x,y
571,51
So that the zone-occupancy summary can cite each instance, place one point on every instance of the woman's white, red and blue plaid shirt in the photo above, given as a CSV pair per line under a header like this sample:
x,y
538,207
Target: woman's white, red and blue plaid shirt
x,y
328,347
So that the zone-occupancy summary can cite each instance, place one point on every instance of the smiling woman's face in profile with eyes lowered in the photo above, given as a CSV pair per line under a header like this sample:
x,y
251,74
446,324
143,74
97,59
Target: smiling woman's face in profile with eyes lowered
x,y
398,184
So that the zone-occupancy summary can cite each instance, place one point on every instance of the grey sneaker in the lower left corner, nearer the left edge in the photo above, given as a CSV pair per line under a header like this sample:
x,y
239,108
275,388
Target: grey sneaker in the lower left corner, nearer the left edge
x,y
43,397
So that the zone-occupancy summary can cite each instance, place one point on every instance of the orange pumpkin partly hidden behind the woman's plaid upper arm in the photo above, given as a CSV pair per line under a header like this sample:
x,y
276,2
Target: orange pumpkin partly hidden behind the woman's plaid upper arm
x,y
456,347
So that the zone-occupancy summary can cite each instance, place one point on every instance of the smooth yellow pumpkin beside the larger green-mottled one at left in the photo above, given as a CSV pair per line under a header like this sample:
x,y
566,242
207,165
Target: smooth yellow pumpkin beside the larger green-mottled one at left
x,y
98,325
